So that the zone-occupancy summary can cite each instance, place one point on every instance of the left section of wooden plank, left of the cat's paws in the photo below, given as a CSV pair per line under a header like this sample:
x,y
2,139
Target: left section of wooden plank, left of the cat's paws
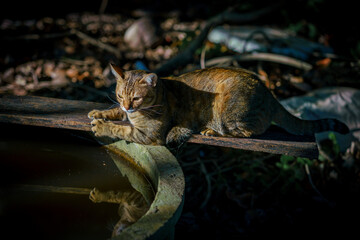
x,y
47,112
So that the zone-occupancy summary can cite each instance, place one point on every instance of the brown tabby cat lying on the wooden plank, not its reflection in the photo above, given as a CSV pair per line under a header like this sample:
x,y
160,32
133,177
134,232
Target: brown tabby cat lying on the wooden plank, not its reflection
x,y
227,102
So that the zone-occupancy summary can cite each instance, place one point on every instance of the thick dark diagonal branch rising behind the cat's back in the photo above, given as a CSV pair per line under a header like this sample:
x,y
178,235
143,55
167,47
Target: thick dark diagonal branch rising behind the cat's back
x,y
227,16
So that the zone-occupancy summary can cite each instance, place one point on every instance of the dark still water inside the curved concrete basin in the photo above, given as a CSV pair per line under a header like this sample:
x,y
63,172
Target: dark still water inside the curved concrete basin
x,y
34,158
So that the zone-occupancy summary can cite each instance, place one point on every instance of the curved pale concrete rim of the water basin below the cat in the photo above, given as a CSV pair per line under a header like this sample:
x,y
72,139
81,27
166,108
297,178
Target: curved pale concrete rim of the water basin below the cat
x,y
165,173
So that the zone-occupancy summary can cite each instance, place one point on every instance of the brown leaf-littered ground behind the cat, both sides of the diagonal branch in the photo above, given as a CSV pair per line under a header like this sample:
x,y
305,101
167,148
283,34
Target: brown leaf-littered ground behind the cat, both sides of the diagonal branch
x,y
83,45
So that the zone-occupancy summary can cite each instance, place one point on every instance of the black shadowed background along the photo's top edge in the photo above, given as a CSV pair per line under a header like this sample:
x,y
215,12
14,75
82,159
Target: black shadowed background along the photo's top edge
x,y
339,19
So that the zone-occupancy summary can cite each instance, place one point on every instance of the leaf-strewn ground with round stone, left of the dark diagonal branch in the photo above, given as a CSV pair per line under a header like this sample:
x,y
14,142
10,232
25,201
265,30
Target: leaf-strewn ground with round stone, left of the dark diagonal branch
x,y
82,46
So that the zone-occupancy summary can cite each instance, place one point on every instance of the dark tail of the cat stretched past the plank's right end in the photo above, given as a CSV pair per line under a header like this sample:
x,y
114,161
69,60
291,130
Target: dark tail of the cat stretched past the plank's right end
x,y
298,126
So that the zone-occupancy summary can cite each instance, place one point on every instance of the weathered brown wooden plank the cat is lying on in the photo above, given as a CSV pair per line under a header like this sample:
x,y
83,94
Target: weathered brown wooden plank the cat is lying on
x,y
70,114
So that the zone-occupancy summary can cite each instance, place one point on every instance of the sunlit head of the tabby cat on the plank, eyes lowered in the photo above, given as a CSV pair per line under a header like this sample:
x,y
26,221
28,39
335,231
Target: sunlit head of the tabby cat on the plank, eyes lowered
x,y
135,90
